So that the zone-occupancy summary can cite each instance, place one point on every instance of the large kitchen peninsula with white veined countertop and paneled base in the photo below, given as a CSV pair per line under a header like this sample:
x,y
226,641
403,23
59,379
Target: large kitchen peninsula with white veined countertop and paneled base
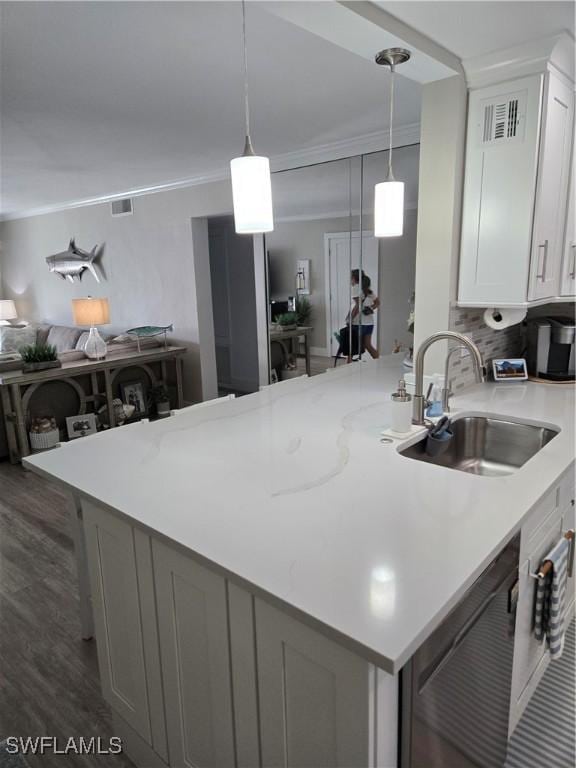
x,y
263,560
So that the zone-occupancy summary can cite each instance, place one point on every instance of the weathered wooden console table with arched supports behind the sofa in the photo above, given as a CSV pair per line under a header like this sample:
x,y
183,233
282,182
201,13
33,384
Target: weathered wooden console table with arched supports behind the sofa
x,y
93,382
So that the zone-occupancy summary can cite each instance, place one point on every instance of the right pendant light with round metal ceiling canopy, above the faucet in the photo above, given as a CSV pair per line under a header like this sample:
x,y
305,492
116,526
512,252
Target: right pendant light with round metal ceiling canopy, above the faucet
x,y
389,194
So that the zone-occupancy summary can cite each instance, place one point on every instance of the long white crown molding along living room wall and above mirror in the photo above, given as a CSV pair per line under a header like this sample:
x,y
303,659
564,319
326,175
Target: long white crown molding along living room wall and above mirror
x,y
321,153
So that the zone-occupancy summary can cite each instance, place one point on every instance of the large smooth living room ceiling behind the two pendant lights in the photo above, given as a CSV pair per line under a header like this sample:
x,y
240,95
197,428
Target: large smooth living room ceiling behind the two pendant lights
x,y
104,97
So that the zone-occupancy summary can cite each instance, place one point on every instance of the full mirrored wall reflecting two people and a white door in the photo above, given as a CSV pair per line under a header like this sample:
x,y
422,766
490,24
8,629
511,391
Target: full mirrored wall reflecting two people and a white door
x,y
336,292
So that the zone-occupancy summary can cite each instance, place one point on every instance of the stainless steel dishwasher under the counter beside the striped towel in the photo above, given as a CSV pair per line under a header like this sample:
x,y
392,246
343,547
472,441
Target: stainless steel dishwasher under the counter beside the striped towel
x,y
456,688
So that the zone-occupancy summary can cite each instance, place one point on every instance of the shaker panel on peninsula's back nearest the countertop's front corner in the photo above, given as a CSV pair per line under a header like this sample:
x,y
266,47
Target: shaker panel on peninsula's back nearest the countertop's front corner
x,y
314,696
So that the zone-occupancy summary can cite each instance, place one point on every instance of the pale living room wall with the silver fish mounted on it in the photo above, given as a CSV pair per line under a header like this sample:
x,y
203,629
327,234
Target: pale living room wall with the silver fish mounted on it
x,y
149,262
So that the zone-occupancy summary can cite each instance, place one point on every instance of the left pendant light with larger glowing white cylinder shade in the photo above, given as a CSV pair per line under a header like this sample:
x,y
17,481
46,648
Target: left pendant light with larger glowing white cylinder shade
x,y
251,185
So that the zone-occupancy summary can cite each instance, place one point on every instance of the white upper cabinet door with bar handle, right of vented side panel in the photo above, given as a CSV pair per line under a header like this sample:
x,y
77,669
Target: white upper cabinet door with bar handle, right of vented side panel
x,y
551,191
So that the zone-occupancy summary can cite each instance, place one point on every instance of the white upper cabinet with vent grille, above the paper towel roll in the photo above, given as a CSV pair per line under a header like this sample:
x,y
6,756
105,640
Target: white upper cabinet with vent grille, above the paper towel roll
x,y
515,191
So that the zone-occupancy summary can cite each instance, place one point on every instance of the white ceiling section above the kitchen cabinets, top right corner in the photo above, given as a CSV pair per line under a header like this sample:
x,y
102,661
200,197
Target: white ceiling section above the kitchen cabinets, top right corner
x,y
471,28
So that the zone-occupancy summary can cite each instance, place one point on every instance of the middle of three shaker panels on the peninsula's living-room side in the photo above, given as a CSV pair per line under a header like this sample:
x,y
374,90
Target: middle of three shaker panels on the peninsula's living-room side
x,y
193,632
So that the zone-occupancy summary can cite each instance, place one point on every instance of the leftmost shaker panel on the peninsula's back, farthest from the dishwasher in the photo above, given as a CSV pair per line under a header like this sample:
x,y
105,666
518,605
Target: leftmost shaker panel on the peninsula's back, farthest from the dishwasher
x,y
112,563
